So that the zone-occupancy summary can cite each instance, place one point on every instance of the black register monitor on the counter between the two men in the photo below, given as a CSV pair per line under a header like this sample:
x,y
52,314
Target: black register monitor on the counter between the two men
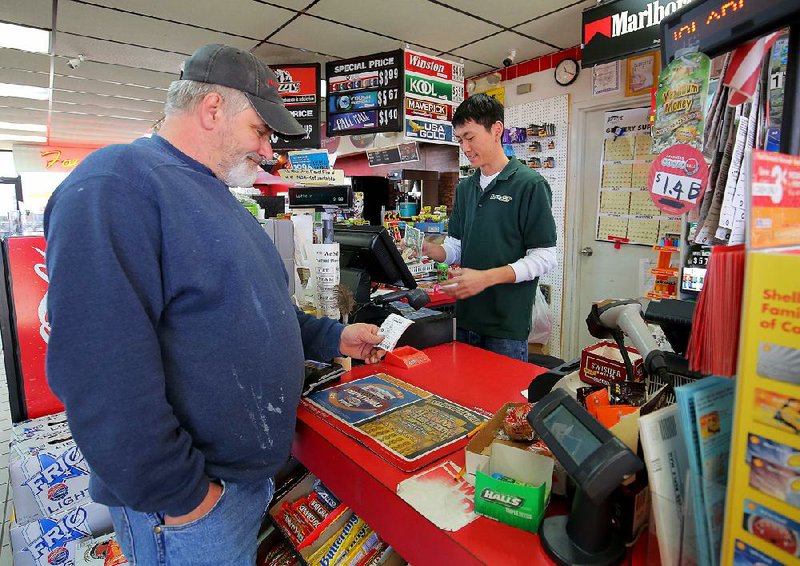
x,y
370,248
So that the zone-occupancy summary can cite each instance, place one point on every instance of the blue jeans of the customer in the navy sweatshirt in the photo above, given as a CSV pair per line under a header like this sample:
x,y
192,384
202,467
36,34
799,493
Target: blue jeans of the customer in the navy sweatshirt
x,y
225,535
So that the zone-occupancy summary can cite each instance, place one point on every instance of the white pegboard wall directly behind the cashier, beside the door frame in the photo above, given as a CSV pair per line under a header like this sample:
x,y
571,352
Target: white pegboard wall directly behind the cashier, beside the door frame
x,y
548,111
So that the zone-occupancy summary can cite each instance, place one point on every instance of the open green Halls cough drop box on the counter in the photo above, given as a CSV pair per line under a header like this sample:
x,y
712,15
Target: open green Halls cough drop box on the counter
x,y
517,505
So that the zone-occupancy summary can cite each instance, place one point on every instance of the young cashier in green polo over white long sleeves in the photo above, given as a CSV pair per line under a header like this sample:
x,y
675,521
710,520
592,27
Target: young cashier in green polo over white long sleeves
x,y
501,232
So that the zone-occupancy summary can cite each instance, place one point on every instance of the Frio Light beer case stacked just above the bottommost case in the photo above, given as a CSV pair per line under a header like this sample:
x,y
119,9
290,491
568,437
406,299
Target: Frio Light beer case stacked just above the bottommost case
x,y
48,483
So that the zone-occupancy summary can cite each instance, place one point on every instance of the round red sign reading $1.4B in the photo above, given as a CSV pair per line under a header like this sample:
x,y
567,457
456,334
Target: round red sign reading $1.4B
x,y
678,178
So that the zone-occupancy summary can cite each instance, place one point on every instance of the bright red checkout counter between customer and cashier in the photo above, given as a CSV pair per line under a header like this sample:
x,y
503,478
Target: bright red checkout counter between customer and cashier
x,y
368,484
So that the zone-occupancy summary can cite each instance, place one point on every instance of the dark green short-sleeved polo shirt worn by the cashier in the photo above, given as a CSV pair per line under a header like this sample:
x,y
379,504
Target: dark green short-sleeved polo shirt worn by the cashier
x,y
496,227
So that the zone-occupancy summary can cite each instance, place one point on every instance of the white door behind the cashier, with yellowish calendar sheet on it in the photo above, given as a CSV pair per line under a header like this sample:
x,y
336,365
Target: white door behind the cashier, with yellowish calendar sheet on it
x,y
601,271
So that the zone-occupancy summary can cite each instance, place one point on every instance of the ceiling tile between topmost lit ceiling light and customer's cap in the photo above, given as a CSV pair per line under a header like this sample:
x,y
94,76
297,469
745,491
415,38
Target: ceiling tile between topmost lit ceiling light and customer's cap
x,y
127,55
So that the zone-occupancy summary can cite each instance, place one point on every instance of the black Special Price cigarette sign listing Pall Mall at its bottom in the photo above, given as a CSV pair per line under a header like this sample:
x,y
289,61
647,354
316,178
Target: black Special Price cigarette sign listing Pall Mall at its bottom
x,y
365,94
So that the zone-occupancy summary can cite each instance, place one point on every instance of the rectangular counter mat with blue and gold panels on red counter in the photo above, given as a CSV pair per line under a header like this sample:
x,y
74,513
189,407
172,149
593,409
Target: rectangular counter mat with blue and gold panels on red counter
x,y
403,424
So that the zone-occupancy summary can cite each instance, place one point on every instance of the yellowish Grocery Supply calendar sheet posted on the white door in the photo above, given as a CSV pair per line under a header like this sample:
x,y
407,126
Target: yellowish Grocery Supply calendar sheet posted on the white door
x,y
624,206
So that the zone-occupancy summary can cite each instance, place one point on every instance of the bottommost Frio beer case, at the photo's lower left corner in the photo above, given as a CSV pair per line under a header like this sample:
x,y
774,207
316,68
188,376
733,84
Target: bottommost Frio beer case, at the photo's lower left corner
x,y
55,540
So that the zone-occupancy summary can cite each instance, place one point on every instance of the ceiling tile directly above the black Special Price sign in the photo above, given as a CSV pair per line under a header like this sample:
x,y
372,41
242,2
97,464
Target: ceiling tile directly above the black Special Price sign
x,y
305,32
